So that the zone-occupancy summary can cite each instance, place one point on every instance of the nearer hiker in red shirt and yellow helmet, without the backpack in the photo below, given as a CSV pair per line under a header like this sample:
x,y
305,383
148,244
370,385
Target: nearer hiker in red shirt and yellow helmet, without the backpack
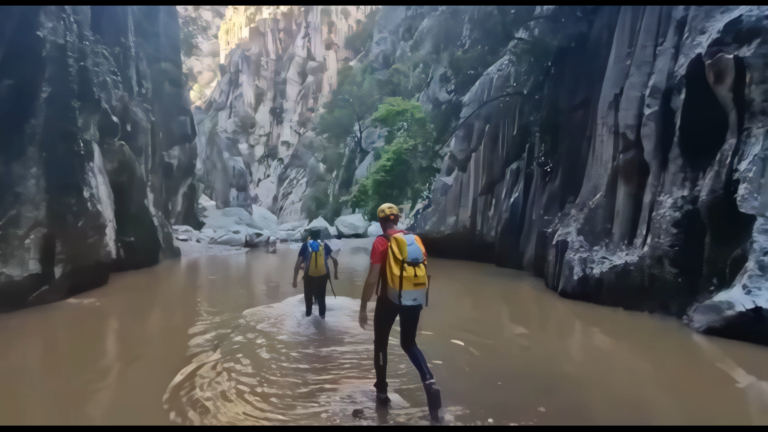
x,y
387,310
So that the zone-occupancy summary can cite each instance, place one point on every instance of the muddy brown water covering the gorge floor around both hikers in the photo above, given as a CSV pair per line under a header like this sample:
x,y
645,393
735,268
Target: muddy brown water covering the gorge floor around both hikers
x,y
223,340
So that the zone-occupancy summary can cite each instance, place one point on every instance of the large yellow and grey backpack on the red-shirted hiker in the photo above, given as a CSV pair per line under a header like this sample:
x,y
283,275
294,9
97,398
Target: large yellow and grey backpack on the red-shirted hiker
x,y
405,271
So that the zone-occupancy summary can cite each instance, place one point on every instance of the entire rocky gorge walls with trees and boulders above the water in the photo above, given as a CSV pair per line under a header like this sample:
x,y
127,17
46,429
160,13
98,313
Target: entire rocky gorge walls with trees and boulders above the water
x,y
617,152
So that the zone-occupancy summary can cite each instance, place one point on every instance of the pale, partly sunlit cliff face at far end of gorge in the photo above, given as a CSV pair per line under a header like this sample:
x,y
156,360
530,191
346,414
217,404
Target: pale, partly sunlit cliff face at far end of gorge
x,y
255,122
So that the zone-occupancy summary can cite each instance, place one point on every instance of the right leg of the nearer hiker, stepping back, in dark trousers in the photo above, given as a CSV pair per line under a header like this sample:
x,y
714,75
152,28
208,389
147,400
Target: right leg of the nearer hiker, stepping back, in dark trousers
x,y
409,322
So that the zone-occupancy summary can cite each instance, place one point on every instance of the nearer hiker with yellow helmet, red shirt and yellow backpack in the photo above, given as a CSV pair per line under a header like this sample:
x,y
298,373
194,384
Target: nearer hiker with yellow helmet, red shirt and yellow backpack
x,y
398,273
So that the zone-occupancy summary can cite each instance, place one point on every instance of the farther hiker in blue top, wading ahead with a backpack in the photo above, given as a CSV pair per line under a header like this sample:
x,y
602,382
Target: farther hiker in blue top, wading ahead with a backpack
x,y
314,257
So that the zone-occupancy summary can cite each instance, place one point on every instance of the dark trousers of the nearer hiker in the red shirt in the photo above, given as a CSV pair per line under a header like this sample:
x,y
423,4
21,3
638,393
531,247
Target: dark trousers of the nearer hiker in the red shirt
x,y
383,319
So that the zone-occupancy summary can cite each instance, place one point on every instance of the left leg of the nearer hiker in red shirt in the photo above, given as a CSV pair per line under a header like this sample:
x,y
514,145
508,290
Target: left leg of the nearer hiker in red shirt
x,y
383,318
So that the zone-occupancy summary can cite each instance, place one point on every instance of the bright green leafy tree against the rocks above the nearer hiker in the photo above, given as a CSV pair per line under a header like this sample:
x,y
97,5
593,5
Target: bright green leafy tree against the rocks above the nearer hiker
x,y
407,166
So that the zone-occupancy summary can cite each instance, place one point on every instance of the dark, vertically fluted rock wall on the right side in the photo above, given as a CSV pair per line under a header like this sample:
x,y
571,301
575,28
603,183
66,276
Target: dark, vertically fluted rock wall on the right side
x,y
627,166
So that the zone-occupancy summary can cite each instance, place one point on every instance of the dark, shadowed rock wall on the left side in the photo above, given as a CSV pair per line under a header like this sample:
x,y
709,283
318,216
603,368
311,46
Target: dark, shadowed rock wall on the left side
x,y
97,159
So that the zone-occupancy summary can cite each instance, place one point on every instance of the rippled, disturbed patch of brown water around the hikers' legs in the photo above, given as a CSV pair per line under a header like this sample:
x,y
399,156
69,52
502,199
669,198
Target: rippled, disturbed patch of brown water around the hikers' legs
x,y
278,366
